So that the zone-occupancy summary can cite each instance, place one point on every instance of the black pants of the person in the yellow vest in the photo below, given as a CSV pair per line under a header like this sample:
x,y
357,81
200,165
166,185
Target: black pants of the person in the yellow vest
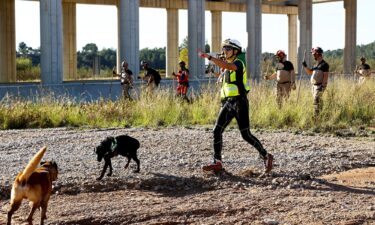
x,y
235,107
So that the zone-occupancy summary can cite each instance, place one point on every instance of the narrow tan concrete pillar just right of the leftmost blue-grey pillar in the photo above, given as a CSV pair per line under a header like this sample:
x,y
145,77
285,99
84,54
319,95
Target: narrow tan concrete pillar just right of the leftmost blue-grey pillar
x,y
70,40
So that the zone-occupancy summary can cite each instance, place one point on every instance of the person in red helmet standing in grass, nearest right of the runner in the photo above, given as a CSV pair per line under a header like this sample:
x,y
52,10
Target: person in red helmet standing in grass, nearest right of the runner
x,y
285,77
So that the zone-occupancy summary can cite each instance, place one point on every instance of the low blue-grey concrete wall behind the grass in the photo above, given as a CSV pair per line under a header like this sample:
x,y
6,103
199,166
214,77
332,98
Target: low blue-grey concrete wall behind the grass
x,y
91,90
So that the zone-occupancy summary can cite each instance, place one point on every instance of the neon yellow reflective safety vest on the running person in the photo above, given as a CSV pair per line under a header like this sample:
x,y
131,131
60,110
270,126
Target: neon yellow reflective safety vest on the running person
x,y
230,89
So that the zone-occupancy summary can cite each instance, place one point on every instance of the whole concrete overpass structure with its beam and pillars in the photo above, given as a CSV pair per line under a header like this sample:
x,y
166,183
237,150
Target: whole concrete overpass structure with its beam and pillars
x,y
58,33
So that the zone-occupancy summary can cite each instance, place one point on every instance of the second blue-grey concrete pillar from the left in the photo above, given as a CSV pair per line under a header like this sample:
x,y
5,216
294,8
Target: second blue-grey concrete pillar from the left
x,y
128,35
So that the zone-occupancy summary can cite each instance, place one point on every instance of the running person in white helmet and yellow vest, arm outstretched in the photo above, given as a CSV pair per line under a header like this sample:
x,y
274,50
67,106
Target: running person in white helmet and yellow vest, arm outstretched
x,y
235,104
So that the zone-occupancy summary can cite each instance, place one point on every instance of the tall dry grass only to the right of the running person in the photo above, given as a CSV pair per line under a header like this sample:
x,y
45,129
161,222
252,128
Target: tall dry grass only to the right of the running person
x,y
345,105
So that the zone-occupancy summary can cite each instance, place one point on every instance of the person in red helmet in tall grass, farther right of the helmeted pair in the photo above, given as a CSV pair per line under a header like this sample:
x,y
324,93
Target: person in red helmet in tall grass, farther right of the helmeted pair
x,y
319,78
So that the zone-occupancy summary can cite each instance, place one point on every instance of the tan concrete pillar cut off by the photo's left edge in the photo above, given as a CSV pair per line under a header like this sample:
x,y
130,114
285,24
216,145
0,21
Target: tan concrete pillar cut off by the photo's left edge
x,y
7,41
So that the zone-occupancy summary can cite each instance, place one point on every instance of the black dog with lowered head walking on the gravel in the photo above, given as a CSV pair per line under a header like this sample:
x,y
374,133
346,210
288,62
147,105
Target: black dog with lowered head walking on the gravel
x,y
113,146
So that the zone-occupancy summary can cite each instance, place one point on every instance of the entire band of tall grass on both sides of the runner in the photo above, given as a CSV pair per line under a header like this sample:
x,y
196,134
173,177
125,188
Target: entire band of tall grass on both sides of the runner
x,y
345,105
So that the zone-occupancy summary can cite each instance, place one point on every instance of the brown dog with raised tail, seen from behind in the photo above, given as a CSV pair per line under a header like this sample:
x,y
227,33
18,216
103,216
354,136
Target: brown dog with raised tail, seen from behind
x,y
34,184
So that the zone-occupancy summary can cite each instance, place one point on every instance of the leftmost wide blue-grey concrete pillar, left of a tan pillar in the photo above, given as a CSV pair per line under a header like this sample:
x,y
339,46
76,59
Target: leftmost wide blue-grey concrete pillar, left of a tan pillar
x,y
51,41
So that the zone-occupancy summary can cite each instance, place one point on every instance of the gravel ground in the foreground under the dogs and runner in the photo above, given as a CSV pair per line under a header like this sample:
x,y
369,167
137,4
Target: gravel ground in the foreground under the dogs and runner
x,y
172,189
